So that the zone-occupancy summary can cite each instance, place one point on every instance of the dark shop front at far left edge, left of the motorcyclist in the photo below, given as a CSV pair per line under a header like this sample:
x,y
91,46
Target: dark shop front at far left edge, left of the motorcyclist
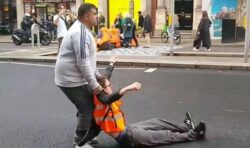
x,y
7,16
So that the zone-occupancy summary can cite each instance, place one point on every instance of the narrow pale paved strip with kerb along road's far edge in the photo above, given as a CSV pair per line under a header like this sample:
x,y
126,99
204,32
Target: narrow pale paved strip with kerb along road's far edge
x,y
199,62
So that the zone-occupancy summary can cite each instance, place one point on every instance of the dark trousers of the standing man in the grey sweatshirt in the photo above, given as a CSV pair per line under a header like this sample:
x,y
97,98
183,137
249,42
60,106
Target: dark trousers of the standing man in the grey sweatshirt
x,y
82,98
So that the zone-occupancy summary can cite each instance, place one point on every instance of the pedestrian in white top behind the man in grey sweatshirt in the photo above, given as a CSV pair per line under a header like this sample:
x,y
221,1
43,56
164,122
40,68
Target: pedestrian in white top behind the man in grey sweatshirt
x,y
60,20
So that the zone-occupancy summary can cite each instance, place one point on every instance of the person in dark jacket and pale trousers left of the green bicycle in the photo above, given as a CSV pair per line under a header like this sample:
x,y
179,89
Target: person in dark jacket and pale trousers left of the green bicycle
x,y
147,28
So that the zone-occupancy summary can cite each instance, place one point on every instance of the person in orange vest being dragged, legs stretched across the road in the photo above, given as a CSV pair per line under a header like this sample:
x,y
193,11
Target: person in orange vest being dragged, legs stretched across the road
x,y
155,132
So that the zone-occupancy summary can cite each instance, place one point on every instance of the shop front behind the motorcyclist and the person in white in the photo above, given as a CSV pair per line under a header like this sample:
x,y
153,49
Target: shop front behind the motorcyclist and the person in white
x,y
42,9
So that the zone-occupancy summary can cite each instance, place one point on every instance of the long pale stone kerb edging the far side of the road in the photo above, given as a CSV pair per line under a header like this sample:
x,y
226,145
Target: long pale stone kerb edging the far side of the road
x,y
189,65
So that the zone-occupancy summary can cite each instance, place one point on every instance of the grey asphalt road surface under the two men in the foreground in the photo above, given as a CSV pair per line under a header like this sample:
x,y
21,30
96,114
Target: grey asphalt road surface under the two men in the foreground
x,y
35,114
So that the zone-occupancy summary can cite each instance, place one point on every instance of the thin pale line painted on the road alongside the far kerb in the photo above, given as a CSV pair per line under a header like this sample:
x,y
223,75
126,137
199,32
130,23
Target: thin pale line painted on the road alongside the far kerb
x,y
53,66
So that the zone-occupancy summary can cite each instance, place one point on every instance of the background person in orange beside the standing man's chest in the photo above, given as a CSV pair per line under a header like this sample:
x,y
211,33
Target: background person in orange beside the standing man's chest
x,y
103,38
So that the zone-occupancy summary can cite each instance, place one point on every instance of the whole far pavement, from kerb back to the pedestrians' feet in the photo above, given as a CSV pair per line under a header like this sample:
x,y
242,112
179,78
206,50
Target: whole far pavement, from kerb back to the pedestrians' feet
x,y
223,56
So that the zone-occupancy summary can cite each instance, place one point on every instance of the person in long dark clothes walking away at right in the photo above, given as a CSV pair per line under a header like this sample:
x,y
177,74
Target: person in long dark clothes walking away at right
x,y
203,34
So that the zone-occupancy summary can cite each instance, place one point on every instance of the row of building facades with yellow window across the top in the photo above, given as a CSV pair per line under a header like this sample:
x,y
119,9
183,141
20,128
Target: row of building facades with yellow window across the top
x,y
188,11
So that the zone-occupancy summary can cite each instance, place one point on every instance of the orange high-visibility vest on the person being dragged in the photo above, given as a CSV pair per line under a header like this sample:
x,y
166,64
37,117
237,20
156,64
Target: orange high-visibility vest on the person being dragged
x,y
109,118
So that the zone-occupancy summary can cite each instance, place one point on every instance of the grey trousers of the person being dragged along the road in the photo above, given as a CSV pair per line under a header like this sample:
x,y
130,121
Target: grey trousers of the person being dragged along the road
x,y
154,132
